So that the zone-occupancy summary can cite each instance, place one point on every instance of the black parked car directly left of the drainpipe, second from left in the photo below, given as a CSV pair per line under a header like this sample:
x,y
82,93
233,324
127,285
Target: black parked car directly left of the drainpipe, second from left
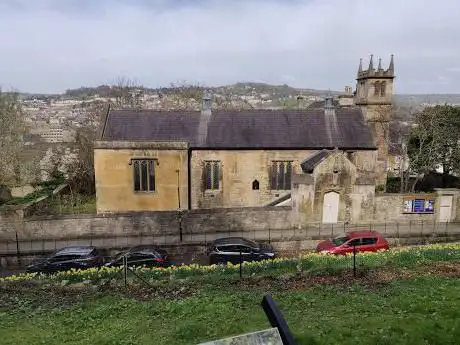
x,y
145,255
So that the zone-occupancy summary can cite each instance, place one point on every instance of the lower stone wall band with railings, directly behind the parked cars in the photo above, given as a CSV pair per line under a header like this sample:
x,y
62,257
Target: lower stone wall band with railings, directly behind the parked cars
x,y
290,242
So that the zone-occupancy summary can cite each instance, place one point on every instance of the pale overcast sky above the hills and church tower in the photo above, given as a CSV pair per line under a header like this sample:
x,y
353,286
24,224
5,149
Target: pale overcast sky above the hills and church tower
x,y
54,45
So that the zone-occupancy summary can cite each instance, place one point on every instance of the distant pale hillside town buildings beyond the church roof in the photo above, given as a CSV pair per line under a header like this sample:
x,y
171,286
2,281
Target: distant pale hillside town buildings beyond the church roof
x,y
54,119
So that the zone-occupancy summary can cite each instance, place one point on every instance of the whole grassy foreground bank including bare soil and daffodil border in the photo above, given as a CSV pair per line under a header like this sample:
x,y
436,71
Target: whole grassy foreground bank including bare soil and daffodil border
x,y
407,296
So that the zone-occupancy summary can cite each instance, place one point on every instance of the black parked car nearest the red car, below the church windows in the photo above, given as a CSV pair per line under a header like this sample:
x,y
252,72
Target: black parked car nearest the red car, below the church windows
x,y
228,249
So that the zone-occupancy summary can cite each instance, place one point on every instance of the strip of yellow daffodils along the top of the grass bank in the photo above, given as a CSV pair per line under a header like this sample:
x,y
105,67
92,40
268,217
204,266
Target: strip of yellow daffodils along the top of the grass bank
x,y
317,264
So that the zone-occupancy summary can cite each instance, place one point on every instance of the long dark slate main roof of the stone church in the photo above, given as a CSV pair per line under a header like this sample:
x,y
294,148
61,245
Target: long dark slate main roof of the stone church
x,y
286,128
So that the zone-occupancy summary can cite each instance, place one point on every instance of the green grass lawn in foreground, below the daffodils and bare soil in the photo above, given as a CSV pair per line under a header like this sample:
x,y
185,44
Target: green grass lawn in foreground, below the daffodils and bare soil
x,y
404,310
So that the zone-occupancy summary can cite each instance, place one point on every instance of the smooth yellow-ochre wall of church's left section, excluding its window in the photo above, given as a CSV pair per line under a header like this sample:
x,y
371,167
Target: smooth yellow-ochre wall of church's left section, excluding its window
x,y
115,178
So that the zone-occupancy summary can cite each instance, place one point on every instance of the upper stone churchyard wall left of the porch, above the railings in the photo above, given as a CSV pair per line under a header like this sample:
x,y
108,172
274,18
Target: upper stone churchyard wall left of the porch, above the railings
x,y
148,223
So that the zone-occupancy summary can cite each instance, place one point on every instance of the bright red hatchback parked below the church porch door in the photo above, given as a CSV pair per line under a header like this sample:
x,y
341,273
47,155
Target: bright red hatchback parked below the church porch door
x,y
363,240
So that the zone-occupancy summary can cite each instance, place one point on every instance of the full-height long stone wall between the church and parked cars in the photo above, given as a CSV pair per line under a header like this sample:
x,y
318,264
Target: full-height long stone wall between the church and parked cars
x,y
181,231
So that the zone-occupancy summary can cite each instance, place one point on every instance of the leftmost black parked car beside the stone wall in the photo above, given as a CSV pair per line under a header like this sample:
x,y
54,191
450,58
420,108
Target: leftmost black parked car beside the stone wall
x,y
78,257
